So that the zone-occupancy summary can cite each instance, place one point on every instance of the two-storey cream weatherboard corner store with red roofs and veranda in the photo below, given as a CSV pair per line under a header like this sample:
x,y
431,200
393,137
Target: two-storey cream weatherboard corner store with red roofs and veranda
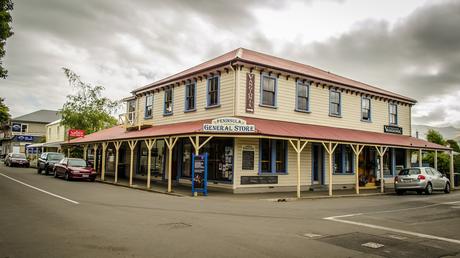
x,y
267,124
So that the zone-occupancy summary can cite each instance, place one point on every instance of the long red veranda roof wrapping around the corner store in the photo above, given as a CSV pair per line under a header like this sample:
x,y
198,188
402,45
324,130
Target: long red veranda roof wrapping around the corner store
x,y
265,127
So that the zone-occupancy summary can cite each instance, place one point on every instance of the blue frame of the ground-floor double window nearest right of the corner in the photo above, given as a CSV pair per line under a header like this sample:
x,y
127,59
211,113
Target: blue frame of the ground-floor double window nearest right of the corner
x,y
273,158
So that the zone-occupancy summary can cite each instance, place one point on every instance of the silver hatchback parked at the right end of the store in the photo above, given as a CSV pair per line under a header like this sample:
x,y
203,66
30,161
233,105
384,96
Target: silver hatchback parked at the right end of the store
x,y
421,179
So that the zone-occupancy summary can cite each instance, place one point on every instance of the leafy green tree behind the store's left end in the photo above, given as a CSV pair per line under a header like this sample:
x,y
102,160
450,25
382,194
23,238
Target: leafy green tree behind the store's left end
x,y
87,109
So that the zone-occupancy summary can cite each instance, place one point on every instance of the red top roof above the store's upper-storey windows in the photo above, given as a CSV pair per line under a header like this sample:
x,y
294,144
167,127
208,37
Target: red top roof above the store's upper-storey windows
x,y
261,59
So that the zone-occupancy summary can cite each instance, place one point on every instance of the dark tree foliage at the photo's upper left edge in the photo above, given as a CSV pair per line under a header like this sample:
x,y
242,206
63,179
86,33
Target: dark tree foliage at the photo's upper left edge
x,y
6,6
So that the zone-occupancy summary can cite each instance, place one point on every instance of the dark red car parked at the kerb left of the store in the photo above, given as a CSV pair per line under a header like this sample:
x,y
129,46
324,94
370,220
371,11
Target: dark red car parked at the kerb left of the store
x,y
73,168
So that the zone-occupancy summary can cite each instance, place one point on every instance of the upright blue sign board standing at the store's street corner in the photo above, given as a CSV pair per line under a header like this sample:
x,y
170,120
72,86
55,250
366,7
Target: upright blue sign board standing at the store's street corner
x,y
200,174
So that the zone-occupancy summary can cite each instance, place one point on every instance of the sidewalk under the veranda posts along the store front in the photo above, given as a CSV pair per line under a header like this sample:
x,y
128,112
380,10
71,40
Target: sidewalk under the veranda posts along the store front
x,y
185,191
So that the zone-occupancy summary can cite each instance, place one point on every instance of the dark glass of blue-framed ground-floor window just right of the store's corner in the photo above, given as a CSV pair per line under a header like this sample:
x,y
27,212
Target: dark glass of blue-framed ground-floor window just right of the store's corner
x,y
273,156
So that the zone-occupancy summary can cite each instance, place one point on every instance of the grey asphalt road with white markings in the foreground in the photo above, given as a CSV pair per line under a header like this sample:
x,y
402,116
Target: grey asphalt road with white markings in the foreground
x,y
41,216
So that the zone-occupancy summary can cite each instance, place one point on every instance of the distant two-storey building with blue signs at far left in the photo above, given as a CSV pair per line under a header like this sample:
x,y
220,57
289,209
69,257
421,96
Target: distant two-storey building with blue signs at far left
x,y
26,130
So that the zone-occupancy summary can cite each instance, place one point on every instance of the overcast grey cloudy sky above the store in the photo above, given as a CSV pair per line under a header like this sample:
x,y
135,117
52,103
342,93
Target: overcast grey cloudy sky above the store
x,y
409,47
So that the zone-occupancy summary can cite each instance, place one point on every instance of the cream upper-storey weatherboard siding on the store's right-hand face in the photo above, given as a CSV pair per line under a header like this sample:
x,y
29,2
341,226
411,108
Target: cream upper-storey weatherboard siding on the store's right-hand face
x,y
319,107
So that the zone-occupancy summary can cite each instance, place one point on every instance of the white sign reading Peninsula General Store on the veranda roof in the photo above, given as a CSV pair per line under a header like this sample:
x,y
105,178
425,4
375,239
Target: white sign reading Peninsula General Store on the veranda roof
x,y
229,125
